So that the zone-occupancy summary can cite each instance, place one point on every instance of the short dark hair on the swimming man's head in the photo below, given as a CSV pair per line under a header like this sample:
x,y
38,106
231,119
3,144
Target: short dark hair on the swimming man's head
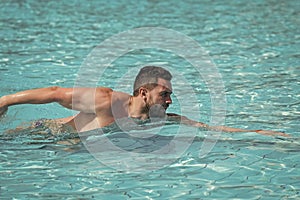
x,y
148,76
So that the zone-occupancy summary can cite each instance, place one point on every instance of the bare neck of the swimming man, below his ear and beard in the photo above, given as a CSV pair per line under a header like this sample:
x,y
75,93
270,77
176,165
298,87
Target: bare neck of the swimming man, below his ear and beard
x,y
136,109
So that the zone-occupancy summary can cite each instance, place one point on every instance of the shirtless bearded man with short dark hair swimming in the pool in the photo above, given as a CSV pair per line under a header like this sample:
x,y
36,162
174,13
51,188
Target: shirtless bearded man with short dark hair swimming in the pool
x,y
100,107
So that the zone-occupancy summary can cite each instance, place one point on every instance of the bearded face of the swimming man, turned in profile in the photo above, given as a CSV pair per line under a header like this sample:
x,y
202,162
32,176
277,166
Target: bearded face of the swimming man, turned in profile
x,y
161,94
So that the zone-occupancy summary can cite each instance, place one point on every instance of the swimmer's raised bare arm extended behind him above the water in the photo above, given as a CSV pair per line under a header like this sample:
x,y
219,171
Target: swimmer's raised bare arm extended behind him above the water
x,y
81,99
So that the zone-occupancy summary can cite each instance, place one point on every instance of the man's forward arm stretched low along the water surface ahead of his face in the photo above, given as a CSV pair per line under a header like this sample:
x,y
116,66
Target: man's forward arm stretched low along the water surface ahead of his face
x,y
190,122
